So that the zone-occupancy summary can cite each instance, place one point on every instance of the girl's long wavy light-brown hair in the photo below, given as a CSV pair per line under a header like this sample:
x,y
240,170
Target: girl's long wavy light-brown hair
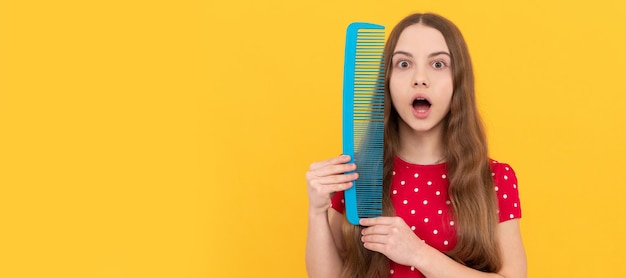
x,y
471,190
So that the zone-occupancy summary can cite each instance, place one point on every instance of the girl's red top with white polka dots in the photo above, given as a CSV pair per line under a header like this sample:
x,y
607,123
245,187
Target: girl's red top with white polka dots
x,y
420,197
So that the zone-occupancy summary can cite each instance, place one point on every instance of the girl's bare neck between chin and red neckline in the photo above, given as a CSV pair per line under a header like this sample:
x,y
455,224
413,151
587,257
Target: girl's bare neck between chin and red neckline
x,y
420,147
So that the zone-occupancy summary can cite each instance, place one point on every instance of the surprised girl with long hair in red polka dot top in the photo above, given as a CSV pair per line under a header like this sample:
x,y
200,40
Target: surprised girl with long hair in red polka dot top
x,y
449,210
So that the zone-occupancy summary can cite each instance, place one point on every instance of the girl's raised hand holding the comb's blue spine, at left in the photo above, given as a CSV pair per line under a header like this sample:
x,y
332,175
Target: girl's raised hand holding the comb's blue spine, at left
x,y
327,177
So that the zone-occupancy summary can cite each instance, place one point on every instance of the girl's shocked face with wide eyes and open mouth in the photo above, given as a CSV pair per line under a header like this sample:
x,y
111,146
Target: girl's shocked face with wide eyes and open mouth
x,y
421,78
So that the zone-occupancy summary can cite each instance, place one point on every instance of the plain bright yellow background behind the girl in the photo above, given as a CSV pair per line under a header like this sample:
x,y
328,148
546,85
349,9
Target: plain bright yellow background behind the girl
x,y
171,138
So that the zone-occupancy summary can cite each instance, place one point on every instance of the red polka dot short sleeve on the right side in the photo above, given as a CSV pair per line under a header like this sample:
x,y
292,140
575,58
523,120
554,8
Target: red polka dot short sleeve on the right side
x,y
506,188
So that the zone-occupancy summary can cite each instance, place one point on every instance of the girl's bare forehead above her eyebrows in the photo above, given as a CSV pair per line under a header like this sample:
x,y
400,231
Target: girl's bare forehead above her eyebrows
x,y
419,38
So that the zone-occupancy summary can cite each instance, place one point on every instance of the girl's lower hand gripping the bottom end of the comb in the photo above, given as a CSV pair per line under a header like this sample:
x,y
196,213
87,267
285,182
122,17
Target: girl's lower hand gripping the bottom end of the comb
x,y
392,237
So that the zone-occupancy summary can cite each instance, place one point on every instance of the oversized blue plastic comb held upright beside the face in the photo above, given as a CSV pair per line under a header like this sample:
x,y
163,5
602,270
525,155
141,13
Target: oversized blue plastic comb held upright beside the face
x,y
363,118
